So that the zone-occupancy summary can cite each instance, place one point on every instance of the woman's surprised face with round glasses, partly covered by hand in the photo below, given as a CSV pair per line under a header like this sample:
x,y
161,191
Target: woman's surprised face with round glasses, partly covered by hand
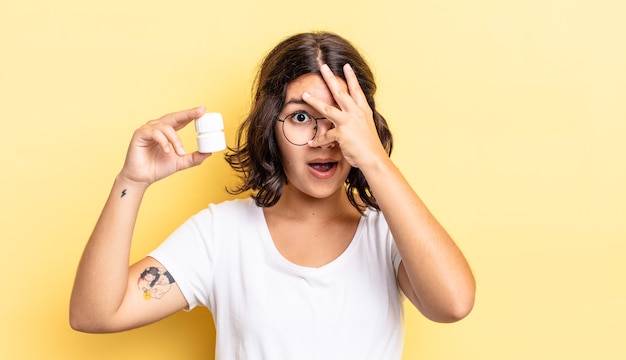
x,y
317,172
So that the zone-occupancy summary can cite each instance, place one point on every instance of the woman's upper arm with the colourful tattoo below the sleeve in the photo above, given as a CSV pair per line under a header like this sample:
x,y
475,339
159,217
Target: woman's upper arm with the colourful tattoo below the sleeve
x,y
151,295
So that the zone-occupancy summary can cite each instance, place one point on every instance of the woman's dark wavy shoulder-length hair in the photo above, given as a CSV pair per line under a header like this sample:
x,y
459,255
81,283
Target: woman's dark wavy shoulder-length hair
x,y
256,156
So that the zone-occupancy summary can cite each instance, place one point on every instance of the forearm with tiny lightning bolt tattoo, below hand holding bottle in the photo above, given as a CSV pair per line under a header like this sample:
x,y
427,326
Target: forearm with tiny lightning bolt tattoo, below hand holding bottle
x,y
102,275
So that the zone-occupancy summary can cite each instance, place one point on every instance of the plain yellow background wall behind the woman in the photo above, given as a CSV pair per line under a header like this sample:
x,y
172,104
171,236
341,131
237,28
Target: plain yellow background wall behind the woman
x,y
509,119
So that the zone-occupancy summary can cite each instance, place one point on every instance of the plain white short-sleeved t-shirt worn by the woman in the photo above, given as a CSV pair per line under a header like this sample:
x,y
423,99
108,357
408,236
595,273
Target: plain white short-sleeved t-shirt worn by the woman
x,y
266,307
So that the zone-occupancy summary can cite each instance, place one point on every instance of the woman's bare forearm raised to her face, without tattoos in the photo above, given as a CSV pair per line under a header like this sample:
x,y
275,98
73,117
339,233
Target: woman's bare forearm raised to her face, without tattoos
x,y
441,281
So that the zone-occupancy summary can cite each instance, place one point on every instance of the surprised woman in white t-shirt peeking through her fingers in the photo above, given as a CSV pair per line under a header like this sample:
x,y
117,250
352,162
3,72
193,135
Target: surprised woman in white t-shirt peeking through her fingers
x,y
315,263
